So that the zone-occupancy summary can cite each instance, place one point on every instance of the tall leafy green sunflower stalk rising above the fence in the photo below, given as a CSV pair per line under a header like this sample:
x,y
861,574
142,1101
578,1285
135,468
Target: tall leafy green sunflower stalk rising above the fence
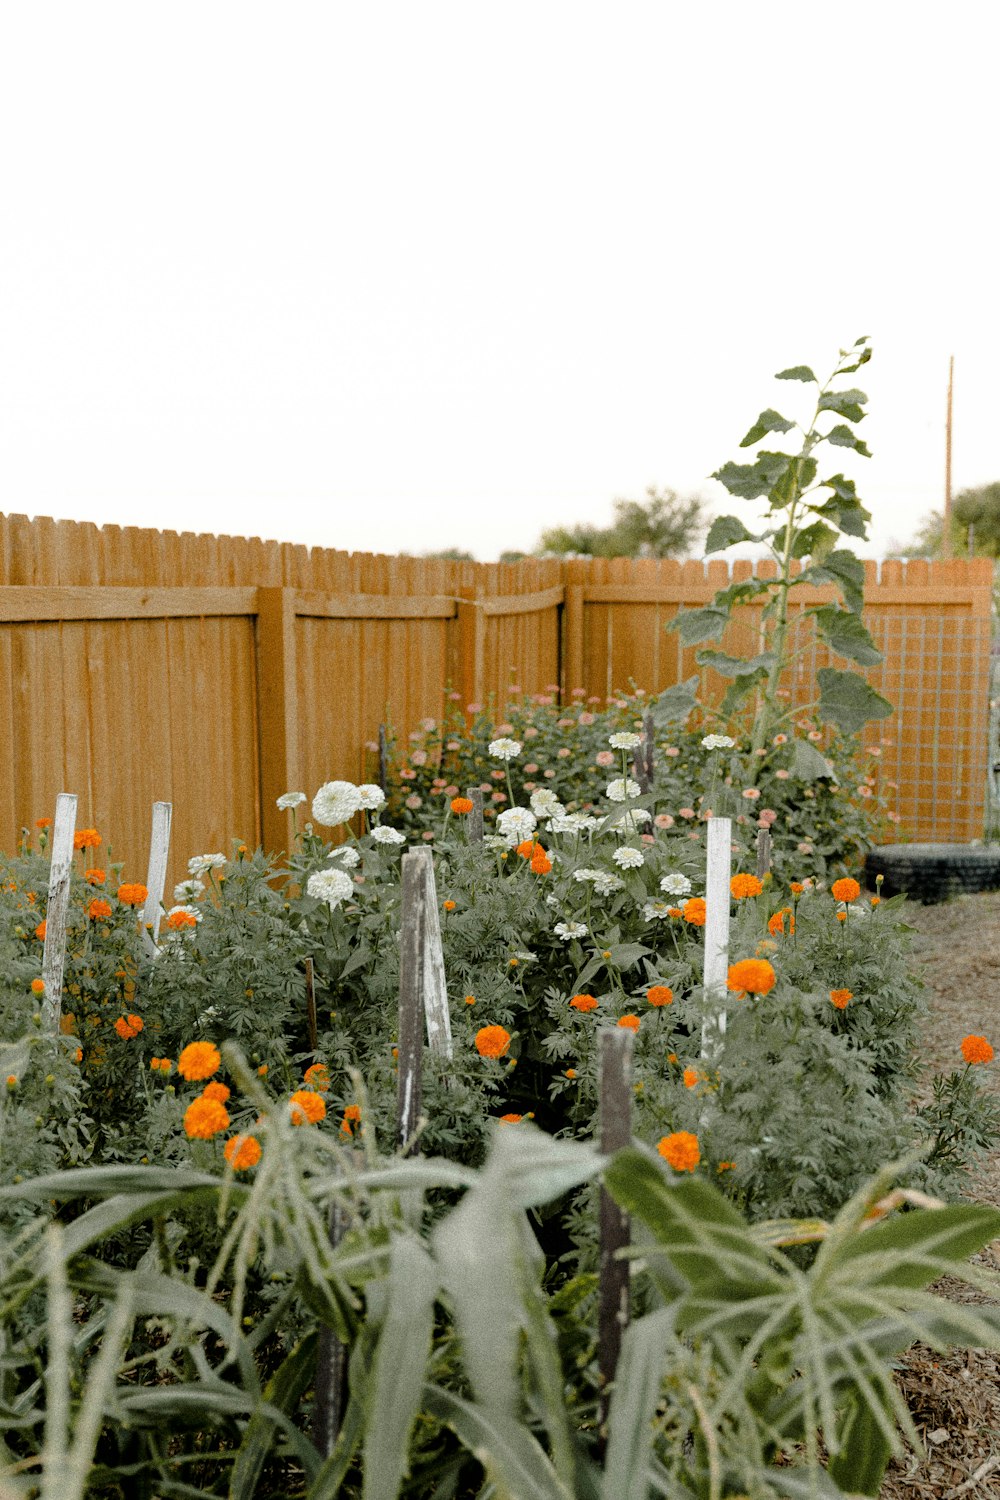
x,y
806,521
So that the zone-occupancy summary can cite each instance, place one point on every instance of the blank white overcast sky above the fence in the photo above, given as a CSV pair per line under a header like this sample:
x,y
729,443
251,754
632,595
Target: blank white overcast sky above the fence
x,y
410,277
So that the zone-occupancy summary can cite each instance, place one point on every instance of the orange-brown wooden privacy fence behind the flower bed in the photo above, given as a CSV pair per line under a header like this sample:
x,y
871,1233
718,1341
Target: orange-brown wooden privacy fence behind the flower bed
x,y
220,673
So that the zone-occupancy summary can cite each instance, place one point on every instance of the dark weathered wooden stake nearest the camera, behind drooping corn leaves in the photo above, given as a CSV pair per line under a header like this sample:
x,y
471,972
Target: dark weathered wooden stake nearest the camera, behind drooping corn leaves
x,y
614,1297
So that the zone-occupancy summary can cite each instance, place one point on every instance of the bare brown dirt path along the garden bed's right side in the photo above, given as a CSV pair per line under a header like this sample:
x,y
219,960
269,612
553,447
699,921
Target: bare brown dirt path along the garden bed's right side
x,y
956,1400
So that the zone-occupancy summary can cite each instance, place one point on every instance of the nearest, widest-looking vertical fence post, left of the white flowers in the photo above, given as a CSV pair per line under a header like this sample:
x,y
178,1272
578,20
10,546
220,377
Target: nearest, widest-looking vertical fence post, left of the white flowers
x,y
278,713
